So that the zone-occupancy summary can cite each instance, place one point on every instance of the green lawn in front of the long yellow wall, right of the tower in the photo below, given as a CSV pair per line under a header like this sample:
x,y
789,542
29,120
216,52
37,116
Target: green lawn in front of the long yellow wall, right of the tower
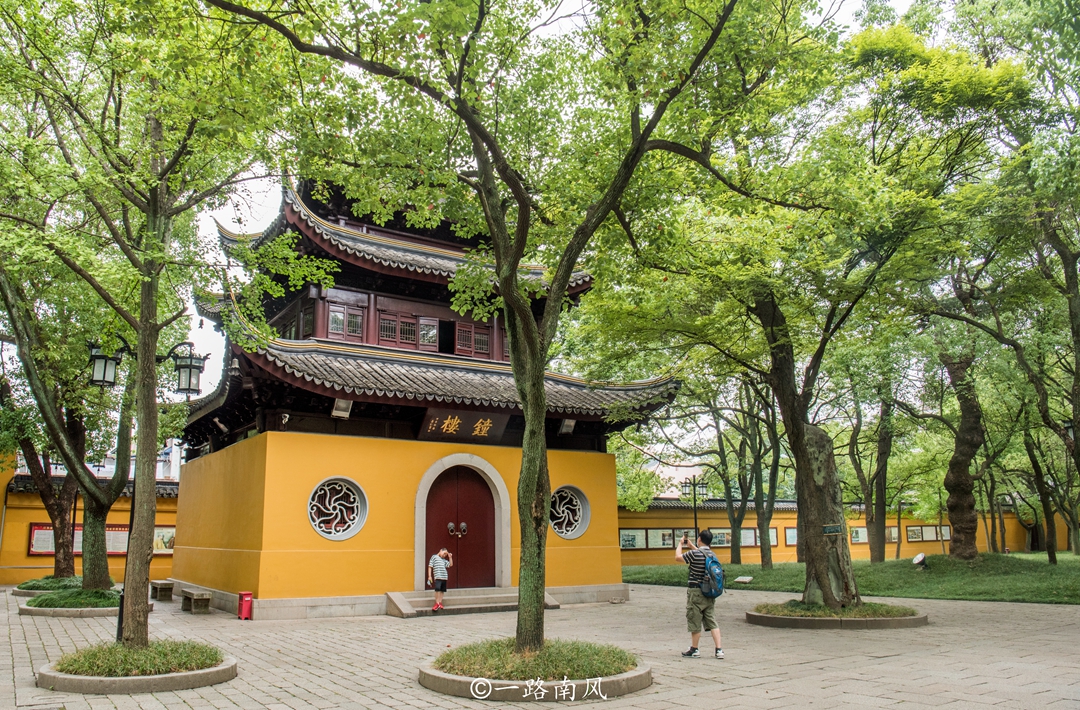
x,y
989,578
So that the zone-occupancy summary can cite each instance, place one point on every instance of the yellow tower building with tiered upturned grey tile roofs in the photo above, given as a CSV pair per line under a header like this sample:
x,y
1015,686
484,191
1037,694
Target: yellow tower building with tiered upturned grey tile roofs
x,y
382,426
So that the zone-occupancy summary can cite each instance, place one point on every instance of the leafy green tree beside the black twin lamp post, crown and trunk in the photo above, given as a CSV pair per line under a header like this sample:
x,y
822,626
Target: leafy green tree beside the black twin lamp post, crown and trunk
x,y
140,115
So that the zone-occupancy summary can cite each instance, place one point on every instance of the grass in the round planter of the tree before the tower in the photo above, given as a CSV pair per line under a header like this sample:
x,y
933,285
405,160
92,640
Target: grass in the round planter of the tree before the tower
x,y
575,660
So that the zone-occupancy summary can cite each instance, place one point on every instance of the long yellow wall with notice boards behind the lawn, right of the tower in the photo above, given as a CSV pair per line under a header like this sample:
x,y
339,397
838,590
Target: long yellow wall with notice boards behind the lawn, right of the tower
x,y
1016,535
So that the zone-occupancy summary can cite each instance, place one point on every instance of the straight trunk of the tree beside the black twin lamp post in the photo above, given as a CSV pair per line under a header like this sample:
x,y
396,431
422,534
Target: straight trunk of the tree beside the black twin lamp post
x,y
144,501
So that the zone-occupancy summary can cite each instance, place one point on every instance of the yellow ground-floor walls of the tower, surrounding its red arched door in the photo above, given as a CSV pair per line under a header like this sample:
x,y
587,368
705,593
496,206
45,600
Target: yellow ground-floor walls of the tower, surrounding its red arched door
x,y
242,524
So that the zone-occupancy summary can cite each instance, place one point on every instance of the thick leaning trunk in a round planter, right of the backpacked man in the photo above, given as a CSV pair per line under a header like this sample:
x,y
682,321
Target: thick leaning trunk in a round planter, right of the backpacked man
x,y
830,577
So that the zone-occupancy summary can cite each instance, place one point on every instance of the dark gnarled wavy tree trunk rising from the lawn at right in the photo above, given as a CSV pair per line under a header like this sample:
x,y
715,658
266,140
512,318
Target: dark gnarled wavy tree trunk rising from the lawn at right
x,y
958,480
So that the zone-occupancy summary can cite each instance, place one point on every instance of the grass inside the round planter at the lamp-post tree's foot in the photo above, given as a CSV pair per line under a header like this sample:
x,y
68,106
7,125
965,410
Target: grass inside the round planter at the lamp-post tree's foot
x,y
117,661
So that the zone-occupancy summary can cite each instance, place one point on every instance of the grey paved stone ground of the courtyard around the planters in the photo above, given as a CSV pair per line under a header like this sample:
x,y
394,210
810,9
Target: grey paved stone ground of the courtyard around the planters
x,y
973,655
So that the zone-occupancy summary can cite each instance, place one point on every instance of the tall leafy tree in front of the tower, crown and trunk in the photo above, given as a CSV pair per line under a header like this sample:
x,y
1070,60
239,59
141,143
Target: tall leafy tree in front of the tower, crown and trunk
x,y
475,112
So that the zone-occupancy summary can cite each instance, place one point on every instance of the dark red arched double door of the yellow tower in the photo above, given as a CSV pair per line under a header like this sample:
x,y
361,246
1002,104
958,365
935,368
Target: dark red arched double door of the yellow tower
x,y
462,498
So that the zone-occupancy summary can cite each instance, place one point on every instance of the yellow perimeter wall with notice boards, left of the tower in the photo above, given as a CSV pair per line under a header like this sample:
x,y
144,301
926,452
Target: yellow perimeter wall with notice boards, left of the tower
x,y
21,510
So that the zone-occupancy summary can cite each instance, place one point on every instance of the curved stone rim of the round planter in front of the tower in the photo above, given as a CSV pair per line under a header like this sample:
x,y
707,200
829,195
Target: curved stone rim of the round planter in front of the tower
x,y
482,689
